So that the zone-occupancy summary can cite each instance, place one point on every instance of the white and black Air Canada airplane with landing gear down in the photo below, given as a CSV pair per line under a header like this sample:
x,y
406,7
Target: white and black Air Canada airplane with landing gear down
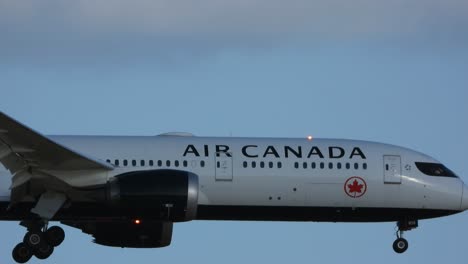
x,y
127,191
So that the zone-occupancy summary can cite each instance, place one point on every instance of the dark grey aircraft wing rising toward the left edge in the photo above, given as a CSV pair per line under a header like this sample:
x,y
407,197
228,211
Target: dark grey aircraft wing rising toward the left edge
x,y
21,147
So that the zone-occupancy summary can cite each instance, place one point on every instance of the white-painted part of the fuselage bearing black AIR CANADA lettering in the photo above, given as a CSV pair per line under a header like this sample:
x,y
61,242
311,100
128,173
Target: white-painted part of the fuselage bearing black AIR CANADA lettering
x,y
277,172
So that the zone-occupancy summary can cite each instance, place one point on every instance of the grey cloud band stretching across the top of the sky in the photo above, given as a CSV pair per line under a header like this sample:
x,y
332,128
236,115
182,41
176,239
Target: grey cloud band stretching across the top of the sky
x,y
89,28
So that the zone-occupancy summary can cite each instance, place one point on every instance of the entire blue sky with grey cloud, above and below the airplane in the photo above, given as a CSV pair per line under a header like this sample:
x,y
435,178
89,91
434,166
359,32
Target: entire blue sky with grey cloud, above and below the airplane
x,y
387,71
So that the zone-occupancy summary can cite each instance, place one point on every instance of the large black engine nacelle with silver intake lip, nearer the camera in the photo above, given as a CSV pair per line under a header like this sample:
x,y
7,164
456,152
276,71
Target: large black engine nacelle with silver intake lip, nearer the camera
x,y
169,195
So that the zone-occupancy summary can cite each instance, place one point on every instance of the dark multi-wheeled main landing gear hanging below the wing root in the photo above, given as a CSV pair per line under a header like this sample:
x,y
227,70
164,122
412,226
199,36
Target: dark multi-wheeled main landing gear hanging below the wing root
x,y
39,241
